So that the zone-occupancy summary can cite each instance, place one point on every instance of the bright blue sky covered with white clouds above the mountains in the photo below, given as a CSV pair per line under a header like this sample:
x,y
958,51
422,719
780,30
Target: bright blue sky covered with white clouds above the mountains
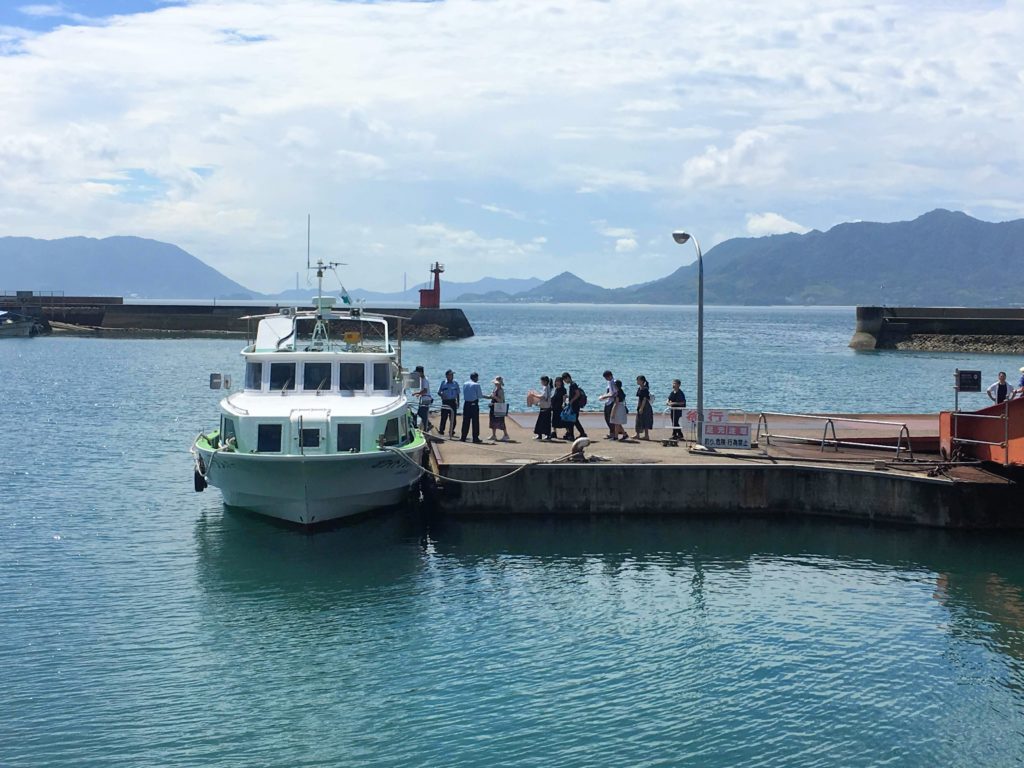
x,y
510,139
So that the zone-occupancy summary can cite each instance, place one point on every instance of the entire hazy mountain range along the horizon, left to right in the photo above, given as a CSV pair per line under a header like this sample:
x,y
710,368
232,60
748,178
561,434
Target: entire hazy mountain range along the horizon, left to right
x,y
942,259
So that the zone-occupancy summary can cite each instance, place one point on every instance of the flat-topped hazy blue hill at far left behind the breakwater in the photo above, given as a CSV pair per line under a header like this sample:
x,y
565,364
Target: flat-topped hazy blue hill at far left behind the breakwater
x,y
113,267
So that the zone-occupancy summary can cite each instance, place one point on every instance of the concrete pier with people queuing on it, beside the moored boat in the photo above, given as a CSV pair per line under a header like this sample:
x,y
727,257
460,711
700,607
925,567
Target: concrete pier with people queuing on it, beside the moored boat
x,y
782,479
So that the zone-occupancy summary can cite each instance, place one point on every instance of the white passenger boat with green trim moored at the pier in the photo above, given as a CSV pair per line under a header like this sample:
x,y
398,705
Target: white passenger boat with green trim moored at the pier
x,y
322,430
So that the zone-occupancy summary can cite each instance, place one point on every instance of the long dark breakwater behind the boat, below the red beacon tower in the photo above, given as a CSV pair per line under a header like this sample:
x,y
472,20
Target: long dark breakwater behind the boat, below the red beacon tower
x,y
112,317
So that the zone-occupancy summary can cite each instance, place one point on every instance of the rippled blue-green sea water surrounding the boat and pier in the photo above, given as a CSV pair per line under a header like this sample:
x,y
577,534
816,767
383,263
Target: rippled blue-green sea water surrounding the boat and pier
x,y
142,624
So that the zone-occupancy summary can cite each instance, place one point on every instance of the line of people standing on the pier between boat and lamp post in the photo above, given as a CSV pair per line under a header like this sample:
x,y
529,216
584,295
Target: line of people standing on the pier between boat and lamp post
x,y
560,400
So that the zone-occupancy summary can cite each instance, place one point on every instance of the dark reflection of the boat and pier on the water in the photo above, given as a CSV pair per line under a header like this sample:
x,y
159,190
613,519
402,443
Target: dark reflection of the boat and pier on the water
x,y
408,563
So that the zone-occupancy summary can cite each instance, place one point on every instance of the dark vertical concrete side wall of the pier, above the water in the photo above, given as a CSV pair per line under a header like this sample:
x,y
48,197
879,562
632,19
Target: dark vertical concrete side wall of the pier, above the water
x,y
735,489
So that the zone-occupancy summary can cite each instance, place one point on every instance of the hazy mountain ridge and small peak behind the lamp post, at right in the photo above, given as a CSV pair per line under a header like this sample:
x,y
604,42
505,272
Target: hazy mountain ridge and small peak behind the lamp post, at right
x,y
941,259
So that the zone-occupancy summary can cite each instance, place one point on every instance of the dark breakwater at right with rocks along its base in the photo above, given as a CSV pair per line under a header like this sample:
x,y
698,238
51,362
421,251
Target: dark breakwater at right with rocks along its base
x,y
941,329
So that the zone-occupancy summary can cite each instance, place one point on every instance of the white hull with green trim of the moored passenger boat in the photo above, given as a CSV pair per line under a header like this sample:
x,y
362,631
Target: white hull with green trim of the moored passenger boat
x,y
312,490
